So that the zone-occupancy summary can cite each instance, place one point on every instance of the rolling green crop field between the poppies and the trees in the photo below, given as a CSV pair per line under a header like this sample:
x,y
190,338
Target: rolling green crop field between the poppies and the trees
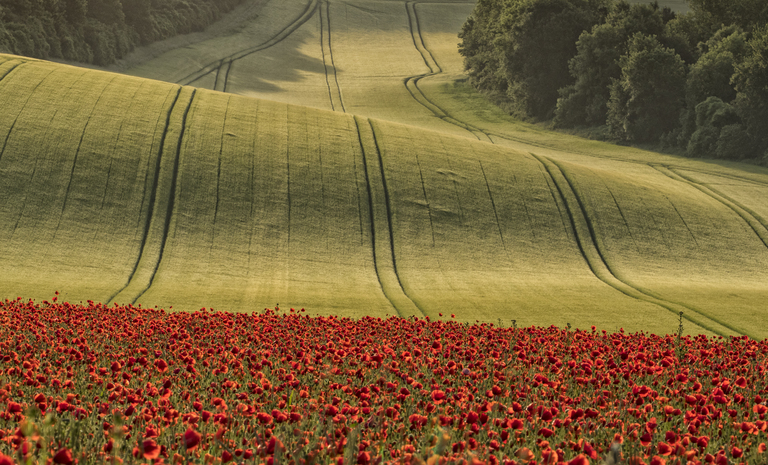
x,y
246,203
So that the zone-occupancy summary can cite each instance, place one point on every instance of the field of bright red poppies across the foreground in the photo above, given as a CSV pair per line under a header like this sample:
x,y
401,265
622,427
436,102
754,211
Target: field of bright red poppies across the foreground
x,y
88,383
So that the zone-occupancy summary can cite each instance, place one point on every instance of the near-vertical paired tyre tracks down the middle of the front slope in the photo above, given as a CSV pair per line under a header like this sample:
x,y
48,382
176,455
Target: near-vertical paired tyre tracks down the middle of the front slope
x,y
381,223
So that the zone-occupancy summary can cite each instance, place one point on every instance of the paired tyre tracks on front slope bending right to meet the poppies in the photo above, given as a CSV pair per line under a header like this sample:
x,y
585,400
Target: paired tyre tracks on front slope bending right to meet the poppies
x,y
589,246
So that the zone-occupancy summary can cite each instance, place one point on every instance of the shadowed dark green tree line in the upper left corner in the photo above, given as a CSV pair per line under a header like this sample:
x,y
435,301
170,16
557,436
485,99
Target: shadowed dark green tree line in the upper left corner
x,y
99,31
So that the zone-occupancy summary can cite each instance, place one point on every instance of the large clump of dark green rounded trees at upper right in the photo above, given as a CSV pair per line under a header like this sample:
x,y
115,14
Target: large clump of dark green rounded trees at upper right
x,y
697,81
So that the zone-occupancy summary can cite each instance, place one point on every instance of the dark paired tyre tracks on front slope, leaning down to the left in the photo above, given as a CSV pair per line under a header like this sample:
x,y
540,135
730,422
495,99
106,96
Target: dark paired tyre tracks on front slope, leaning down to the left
x,y
161,202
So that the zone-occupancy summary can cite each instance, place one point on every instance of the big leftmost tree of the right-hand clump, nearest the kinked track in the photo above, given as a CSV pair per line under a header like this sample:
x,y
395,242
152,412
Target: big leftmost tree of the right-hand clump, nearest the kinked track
x,y
512,51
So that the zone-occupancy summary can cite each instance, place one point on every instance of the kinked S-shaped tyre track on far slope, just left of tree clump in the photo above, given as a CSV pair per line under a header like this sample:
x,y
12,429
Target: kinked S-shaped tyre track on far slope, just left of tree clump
x,y
412,83
